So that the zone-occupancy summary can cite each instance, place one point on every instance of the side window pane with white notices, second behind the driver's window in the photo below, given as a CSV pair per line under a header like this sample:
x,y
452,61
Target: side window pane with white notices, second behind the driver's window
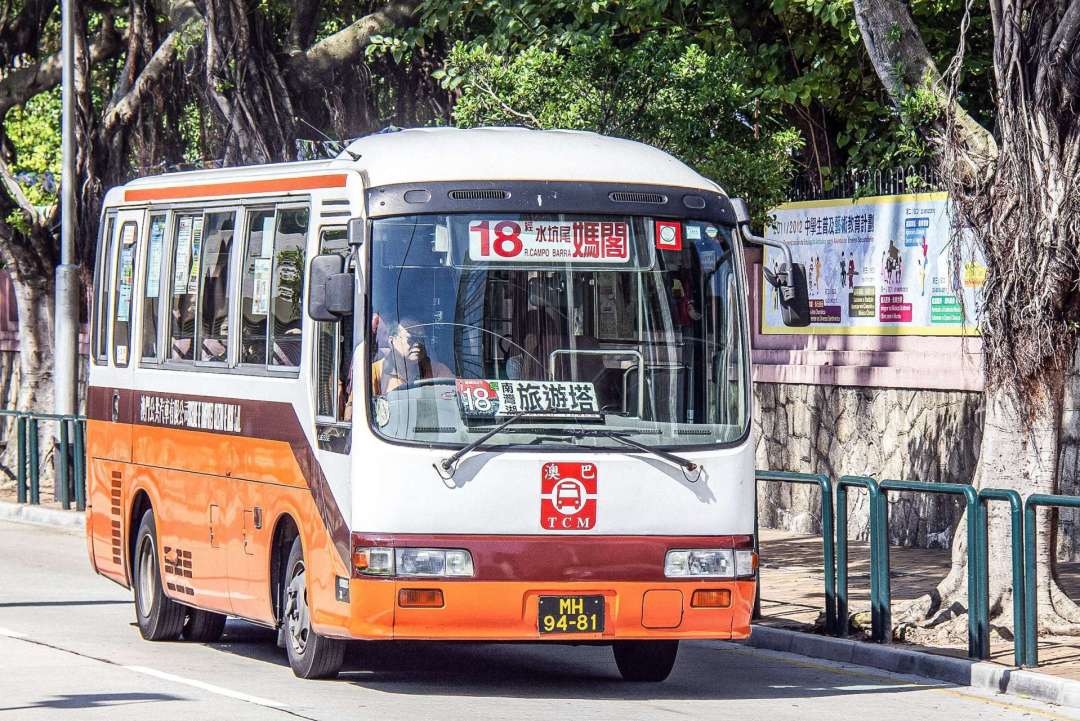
x,y
255,288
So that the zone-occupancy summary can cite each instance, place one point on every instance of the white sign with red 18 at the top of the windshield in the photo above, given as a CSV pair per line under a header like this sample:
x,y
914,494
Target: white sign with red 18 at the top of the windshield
x,y
549,241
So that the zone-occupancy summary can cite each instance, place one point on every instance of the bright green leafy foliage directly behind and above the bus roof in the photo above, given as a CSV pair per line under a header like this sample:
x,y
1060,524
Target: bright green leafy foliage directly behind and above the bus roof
x,y
664,90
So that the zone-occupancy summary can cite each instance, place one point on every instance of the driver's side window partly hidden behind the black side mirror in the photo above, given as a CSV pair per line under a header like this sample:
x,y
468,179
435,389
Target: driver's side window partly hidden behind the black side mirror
x,y
334,384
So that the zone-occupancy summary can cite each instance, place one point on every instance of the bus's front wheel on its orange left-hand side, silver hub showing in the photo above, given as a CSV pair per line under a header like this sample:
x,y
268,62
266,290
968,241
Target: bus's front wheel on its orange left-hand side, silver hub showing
x,y
312,656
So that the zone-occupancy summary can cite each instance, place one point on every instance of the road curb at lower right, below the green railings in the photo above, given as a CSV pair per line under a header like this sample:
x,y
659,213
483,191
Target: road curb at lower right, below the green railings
x,y
962,672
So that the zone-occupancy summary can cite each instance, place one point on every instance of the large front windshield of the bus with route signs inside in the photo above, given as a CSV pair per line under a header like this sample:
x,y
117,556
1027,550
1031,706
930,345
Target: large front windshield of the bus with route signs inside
x,y
623,325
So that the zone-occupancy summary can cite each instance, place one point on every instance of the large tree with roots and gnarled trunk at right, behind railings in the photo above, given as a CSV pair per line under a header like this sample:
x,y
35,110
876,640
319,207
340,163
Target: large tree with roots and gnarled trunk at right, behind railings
x,y
1016,188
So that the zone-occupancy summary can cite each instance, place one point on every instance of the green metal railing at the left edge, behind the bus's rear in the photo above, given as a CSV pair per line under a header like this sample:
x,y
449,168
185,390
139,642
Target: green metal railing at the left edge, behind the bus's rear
x,y
71,484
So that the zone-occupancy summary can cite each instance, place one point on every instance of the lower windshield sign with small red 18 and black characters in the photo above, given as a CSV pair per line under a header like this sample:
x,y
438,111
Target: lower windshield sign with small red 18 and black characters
x,y
489,399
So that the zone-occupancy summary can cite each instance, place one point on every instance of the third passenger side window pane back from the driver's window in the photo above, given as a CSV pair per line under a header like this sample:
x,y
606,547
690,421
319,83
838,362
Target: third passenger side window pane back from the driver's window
x,y
213,339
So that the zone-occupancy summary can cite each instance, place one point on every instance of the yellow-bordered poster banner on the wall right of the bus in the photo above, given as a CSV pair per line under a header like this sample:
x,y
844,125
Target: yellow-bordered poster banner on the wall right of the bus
x,y
876,266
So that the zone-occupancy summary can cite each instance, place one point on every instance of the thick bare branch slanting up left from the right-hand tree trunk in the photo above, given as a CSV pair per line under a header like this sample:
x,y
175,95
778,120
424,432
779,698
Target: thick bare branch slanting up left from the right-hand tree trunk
x,y
903,64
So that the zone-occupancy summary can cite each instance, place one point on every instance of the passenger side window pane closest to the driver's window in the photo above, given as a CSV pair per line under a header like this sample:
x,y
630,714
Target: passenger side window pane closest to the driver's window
x,y
288,295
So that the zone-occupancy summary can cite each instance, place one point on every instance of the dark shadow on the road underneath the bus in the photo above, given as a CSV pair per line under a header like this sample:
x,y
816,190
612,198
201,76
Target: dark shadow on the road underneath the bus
x,y
534,671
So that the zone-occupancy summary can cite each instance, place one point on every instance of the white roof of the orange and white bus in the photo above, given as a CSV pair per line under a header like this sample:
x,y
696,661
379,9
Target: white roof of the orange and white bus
x,y
485,154
